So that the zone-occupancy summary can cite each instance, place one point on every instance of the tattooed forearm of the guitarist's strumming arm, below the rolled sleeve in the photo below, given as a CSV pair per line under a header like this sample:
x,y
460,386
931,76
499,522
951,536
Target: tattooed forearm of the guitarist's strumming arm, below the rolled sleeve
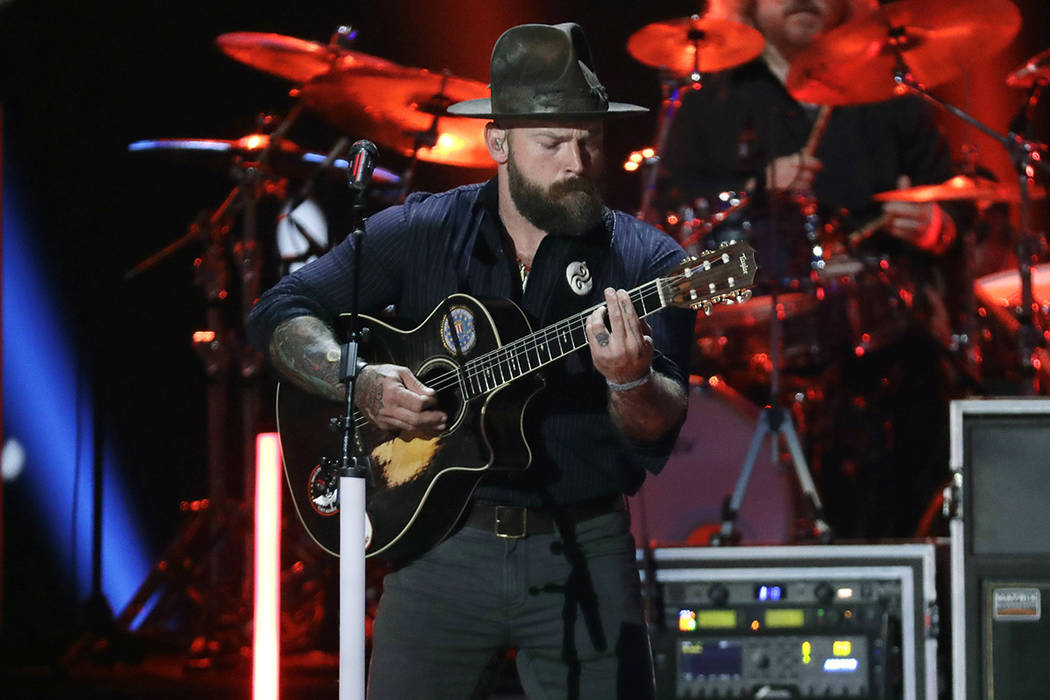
x,y
305,351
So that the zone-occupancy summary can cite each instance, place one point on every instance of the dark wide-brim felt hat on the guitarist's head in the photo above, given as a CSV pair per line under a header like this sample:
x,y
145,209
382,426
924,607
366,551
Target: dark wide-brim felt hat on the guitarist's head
x,y
543,72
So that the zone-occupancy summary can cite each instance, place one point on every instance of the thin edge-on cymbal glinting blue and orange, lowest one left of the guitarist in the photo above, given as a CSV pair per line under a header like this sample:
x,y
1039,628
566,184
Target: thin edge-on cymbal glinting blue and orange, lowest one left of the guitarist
x,y
287,159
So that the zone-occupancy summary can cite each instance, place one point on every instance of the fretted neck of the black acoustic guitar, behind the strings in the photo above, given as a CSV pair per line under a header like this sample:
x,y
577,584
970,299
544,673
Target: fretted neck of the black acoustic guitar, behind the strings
x,y
538,350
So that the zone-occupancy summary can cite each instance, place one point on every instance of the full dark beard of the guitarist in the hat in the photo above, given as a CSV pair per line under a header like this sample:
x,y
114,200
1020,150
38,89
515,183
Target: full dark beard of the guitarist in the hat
x,y
570,208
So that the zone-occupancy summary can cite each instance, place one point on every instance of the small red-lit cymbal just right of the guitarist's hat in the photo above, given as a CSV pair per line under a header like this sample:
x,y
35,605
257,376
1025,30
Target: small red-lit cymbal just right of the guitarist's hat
x,y
694,44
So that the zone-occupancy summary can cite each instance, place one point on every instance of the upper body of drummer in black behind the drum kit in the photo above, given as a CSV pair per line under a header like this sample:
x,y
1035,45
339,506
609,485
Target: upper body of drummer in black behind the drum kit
x,y
866,150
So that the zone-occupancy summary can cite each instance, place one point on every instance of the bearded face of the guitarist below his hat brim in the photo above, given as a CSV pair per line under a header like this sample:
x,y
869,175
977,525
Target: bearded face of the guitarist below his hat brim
x,y
555,176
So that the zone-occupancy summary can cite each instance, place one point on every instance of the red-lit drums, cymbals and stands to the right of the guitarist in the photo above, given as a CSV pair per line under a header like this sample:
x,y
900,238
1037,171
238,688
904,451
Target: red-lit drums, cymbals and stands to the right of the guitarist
x,y
778,349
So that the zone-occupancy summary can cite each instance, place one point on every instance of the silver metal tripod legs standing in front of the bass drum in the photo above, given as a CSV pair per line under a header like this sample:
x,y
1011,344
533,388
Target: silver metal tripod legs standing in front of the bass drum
x,y
772,422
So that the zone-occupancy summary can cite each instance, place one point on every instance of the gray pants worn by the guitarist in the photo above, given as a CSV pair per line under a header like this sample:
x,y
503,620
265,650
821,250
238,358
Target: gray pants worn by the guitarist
x,y
570,604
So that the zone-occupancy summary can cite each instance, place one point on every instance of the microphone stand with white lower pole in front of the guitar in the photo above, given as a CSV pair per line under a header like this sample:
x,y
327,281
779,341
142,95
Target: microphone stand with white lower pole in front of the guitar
x,y
353,473
